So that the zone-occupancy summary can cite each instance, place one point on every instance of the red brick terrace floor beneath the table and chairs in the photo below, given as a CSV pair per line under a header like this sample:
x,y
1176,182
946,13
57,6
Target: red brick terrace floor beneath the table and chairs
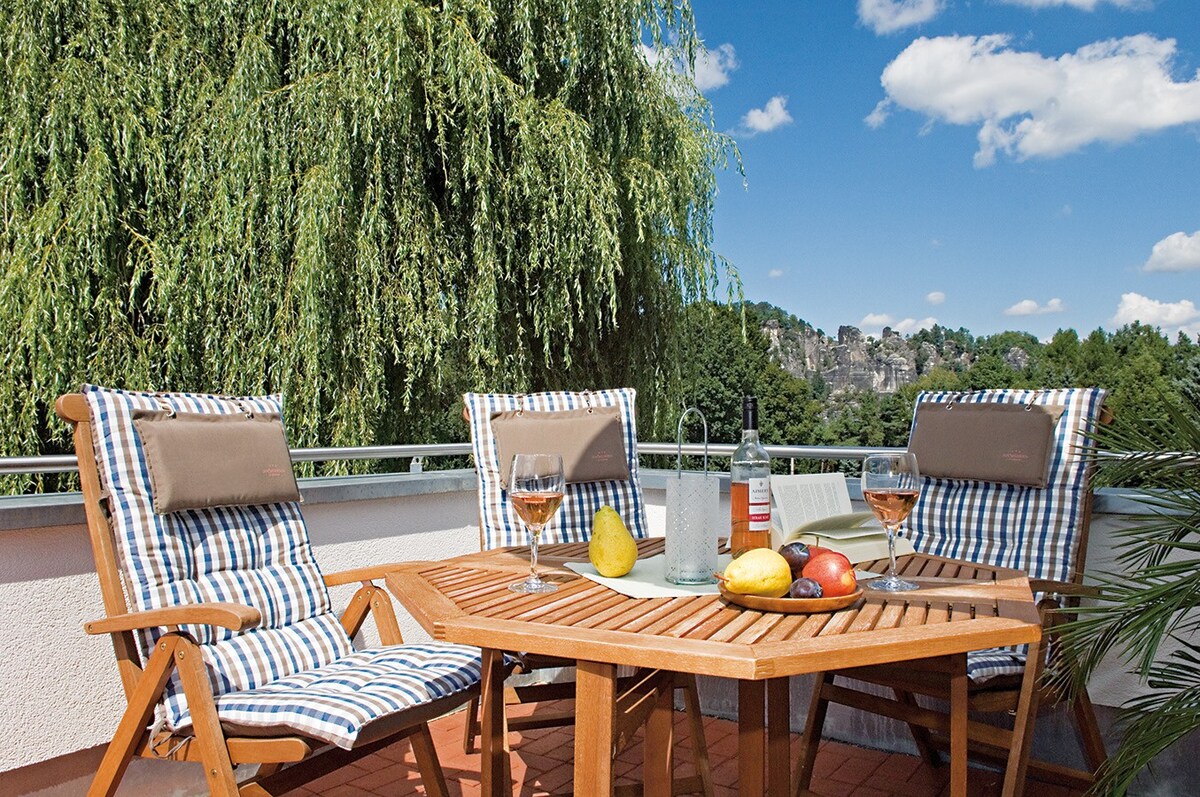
x,y
543,765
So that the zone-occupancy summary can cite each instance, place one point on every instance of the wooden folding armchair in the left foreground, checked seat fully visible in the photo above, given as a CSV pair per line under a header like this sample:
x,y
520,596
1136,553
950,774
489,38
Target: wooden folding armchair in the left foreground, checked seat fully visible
x,y
225,638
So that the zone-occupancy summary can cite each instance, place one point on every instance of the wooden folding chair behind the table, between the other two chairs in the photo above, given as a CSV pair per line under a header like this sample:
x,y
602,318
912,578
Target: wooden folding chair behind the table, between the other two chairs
x,y
500,529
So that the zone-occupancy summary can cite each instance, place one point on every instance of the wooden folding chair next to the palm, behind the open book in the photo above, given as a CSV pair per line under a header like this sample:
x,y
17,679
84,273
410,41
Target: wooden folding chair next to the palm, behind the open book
x,y
1042,531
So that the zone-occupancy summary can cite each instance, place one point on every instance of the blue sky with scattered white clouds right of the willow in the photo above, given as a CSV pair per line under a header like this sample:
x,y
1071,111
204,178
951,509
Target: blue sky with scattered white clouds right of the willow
x,y
1025,165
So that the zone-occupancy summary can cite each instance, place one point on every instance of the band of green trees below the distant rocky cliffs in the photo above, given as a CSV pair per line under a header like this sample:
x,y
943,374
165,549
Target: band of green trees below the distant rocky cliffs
x,y
728,358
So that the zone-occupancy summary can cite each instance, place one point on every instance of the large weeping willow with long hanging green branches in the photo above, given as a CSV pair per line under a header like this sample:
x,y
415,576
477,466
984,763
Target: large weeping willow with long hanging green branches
x,y
367,207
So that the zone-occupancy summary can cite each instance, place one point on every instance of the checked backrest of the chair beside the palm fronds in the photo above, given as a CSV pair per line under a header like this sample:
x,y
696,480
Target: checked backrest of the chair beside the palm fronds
x,y
1041,531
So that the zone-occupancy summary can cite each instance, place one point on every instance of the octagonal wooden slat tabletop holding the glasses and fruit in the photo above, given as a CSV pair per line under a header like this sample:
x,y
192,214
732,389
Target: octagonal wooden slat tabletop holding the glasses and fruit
x,y
961,608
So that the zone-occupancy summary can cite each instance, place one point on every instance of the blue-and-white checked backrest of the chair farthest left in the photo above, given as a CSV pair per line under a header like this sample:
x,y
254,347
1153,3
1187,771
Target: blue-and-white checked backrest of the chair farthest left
x,y
259,556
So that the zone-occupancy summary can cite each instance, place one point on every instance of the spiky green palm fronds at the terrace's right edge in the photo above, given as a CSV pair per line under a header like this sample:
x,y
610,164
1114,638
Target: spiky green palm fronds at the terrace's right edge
x,y
1155,601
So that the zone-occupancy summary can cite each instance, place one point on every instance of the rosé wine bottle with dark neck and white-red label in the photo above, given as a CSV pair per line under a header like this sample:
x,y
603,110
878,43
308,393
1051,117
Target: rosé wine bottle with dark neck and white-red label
x,y
749,487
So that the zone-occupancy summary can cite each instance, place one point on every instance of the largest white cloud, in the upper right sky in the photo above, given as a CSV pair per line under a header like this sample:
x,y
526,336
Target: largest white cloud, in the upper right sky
x,y
1031,106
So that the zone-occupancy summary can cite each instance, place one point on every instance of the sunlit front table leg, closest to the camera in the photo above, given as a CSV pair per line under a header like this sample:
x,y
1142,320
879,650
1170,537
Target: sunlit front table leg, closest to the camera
x,y
596,693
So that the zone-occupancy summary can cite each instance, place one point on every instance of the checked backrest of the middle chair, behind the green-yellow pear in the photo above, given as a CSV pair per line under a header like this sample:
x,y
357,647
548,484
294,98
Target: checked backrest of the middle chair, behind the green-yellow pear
x,y
500,525
